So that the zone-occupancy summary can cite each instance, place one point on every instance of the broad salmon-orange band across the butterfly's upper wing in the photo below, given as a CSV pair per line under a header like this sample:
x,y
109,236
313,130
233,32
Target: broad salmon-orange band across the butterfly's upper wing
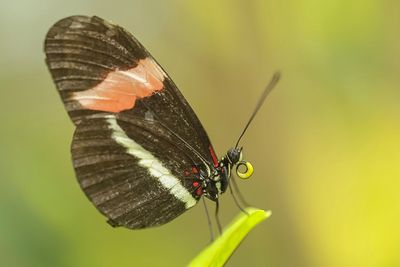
x,y
120,89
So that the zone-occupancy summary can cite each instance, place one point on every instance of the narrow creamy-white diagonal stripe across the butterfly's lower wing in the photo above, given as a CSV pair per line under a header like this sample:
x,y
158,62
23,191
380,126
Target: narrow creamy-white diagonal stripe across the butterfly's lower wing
x,y
154,166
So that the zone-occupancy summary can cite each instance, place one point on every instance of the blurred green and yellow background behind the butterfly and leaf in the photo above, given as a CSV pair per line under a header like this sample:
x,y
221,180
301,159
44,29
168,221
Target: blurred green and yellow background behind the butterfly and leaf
x,y
325,146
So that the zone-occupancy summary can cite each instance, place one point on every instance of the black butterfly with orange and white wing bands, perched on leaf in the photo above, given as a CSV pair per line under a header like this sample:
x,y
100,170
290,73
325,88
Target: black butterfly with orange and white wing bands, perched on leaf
x,y
139,151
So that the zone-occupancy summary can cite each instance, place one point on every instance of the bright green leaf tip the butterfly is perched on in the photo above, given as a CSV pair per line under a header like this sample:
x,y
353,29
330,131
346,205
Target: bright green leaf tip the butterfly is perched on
x,y
219,251
